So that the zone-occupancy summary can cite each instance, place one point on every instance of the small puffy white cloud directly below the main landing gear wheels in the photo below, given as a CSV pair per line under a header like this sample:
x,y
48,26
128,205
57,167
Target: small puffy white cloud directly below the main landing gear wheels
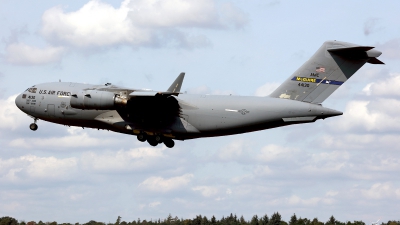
x,y
159,184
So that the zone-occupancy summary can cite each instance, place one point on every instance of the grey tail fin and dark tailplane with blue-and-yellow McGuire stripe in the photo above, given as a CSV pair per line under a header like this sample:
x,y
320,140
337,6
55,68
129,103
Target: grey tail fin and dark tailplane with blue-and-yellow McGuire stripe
x,y
332,65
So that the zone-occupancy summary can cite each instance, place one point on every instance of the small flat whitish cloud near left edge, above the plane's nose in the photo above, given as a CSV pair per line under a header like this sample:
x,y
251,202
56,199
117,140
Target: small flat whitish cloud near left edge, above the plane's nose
x,y
20,53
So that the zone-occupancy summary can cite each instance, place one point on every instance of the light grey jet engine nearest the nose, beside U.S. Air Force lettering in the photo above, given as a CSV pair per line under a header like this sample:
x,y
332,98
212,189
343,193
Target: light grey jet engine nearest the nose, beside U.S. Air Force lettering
x,y
98,100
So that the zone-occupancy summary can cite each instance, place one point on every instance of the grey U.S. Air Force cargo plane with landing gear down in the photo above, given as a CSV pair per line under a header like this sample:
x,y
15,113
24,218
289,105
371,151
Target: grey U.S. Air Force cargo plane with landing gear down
x,y
164,116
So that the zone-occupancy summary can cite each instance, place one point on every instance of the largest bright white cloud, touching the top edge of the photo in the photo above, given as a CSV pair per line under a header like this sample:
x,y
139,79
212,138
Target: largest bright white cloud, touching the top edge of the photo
x,y
138,23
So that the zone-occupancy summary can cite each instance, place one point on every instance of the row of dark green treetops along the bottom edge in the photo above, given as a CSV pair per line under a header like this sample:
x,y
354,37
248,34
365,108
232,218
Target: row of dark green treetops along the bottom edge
x,y
232,219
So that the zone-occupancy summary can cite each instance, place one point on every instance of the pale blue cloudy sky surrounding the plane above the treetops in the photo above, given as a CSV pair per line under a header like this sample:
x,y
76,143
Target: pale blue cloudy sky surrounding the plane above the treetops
x,y
345,166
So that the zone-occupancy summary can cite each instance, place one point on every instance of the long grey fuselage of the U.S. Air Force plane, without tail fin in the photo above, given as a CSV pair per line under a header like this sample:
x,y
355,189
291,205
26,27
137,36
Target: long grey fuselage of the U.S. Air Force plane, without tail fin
x,y
200,115
